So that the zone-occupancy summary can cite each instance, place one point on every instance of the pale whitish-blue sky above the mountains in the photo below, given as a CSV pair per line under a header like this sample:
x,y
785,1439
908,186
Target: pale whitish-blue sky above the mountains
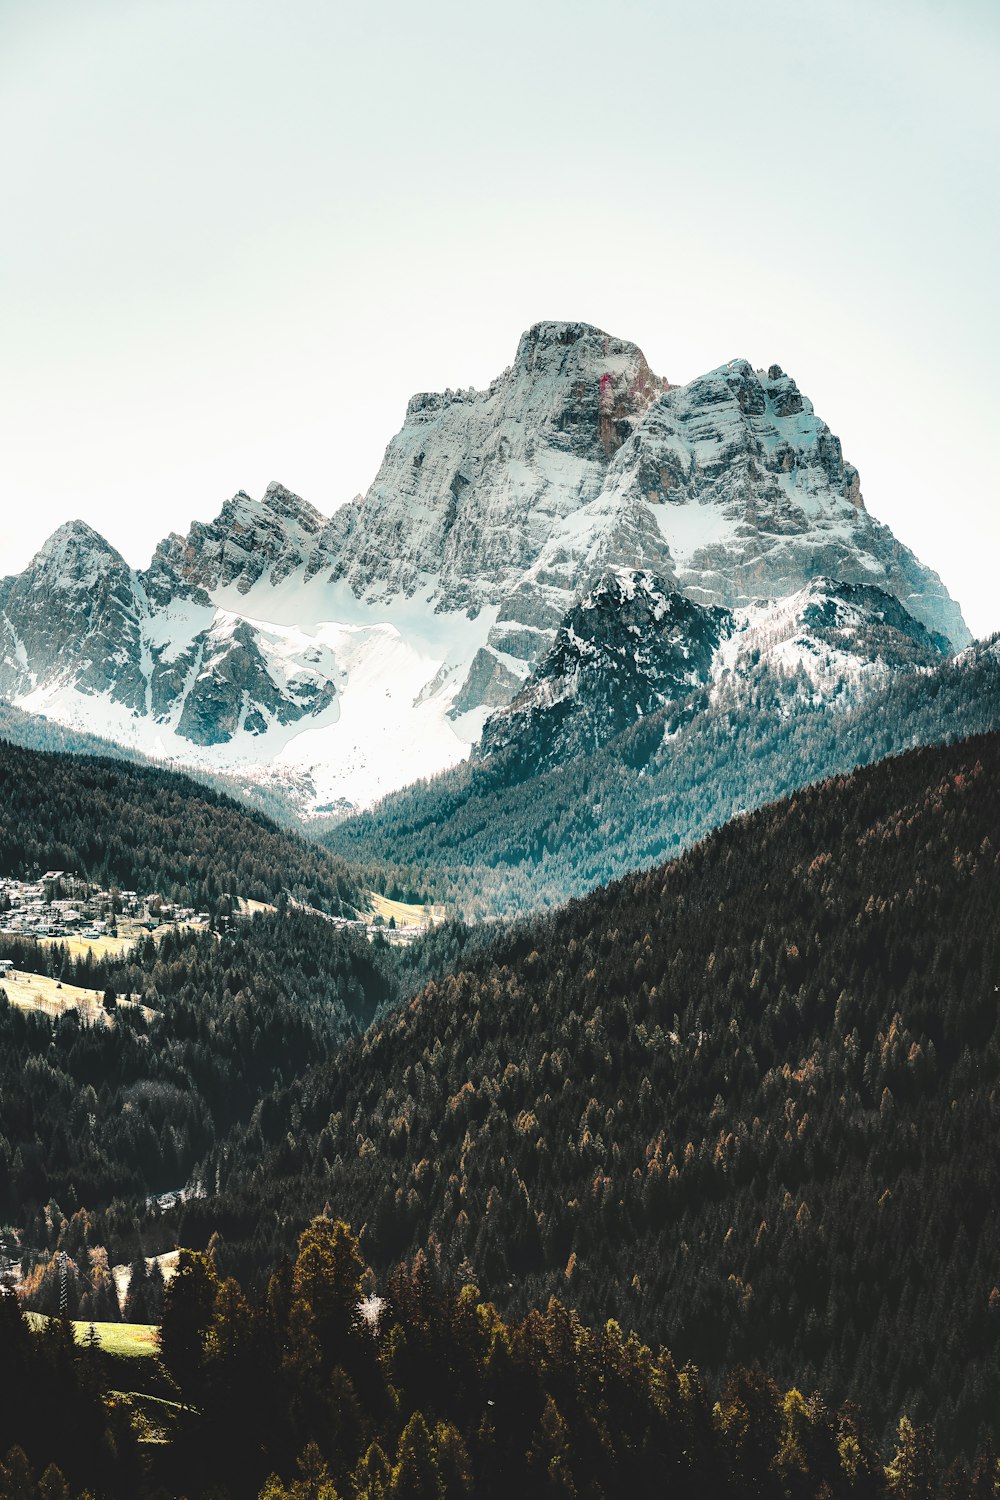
x,y
238,235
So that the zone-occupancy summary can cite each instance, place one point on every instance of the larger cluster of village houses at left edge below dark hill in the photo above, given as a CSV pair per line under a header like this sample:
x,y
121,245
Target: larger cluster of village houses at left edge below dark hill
x,y
62,905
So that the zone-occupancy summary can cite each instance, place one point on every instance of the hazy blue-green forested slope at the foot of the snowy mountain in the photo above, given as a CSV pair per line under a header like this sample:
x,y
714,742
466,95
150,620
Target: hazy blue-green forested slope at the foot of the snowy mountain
x,y
497,842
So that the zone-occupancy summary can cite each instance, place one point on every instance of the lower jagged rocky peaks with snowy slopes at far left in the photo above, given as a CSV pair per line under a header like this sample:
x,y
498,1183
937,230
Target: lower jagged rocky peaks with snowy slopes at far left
x,y
148,658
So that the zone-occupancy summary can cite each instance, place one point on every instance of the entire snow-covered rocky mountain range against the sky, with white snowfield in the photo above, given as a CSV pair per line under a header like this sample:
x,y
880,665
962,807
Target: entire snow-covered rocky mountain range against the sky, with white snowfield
x,y
346,658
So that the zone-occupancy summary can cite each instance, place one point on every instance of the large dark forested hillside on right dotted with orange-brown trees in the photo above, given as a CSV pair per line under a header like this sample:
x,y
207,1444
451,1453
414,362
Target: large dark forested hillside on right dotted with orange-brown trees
x,y
737,1103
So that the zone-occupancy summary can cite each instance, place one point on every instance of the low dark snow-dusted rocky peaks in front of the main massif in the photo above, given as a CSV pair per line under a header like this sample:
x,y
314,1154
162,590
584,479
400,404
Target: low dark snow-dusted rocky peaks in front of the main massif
x,y
633,646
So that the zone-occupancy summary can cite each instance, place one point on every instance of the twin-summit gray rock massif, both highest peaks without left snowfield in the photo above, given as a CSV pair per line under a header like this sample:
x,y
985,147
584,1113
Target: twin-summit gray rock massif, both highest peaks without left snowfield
x,y
579,460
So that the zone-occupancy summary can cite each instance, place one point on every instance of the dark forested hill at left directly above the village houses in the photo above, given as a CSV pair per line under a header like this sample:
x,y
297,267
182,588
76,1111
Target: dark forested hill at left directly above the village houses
x,y
155,832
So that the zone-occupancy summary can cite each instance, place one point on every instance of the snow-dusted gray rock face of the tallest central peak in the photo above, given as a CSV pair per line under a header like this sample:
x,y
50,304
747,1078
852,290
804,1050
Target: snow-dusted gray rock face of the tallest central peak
x,y
475,482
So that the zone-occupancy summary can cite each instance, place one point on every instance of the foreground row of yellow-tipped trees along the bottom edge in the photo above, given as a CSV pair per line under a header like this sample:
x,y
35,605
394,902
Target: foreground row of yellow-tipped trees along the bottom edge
x,y
320,1390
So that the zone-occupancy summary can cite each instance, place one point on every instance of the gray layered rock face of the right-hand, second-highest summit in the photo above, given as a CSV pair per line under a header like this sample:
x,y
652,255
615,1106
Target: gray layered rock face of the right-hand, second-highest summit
x,y
753,497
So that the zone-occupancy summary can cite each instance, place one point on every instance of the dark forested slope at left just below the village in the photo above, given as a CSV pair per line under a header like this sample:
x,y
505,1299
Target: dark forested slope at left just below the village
x,y
92,1117
